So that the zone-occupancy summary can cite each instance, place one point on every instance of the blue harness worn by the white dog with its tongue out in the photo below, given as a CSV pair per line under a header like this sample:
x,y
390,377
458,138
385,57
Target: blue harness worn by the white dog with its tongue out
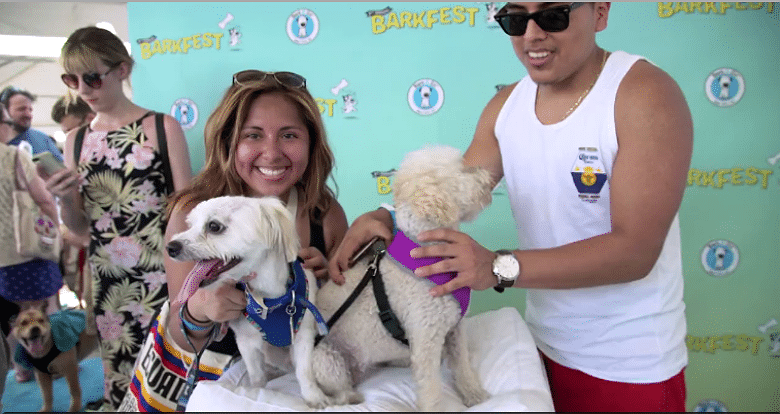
x,y
279,318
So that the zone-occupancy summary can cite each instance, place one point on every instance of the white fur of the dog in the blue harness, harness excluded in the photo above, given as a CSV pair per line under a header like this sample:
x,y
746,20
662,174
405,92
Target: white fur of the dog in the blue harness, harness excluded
x,y
261,233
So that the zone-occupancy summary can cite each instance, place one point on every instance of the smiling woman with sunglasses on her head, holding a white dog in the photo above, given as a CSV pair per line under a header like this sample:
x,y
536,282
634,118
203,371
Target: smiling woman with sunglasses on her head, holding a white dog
x,y
265,138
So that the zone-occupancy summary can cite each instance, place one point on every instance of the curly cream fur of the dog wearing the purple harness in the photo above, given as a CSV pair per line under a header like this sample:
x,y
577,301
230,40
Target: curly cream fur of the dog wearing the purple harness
x,y
432,189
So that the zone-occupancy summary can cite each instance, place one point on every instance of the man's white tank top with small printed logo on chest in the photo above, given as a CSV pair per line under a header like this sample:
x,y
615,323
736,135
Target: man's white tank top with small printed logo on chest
x,y
558,177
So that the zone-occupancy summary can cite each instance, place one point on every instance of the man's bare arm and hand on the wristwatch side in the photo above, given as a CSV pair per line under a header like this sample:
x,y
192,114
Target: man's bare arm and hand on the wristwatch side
x,y
655,138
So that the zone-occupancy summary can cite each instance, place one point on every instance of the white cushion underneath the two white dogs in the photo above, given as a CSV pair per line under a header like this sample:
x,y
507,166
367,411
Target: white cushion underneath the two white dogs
x,y
502,351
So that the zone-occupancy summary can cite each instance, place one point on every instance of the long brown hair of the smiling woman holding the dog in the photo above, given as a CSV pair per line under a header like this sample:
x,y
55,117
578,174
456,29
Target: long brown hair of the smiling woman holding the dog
x,y
219,176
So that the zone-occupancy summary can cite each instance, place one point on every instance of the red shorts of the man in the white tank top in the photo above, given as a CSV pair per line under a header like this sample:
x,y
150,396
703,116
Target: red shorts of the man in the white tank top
x,y
574,391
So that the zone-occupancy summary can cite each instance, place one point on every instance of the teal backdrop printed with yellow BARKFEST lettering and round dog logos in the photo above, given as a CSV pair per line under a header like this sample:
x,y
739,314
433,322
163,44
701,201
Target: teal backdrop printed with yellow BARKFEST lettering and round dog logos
x,y
367,63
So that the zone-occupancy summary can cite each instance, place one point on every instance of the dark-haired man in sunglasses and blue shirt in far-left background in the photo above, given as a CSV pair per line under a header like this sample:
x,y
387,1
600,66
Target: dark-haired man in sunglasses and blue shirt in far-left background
x,y
19,104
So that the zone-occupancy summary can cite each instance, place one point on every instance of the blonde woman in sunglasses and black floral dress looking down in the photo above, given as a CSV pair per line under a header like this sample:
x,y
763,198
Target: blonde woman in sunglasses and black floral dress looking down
x,y
115,188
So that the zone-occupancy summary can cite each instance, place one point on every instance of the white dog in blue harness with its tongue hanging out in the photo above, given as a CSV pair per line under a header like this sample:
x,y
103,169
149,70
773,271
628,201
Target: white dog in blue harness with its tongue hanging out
x,y
253,240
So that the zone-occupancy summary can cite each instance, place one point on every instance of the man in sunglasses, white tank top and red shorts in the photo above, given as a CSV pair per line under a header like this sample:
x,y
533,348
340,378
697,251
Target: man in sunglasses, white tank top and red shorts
x,y
595,149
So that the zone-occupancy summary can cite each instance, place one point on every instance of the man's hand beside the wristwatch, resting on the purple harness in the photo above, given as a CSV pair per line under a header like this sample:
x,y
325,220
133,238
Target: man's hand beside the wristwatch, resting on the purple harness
x,y
472,263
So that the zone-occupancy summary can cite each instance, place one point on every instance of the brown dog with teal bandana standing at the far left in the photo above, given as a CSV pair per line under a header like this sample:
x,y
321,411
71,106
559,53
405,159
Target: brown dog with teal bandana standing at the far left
x,y
33,329
